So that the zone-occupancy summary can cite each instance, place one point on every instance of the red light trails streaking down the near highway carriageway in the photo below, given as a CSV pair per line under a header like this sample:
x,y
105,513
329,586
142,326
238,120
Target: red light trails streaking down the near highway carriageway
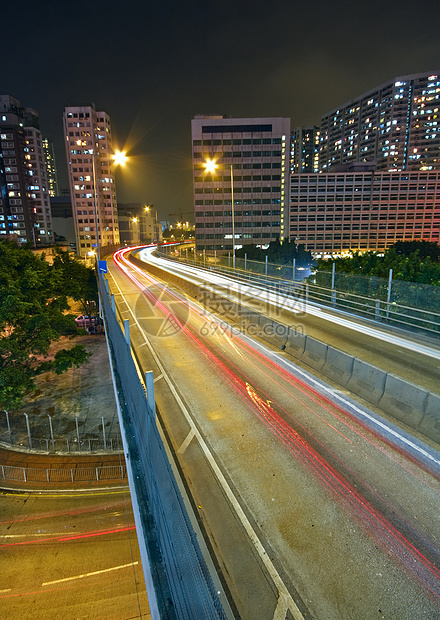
x,y
393,541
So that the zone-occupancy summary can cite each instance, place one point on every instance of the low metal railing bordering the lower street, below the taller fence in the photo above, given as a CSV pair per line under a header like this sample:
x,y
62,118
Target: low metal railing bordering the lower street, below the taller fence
x,y
68,475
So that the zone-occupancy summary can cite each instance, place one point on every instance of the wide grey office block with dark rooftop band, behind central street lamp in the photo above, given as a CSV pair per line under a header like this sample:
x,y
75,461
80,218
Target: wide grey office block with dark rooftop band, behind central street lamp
x,y
251,157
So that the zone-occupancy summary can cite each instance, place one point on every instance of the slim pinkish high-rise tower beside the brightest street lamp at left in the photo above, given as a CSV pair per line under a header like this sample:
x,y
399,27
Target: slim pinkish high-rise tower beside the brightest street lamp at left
x,y
89,152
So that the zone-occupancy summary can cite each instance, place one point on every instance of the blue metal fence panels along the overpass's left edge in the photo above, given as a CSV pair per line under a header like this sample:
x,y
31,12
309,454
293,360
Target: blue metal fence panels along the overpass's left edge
x,y
186,576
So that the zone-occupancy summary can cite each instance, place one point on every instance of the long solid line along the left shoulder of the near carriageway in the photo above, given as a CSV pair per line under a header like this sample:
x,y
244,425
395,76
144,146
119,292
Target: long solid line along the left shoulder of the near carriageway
x,y
241,515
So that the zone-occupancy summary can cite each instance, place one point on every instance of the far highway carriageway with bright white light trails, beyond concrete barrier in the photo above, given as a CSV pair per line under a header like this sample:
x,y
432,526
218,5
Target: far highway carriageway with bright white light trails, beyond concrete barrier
x,y
413,357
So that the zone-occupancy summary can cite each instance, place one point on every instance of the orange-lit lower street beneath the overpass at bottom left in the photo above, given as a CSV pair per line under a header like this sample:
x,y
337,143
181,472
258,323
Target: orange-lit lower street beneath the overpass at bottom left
x,y
70,555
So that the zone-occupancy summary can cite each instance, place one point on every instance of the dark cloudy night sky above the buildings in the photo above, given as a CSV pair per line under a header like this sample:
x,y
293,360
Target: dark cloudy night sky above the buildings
x,y
154,64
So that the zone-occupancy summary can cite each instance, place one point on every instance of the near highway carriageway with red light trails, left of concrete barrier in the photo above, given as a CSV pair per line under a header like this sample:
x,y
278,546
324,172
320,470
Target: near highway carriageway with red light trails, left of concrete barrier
x,y
311,505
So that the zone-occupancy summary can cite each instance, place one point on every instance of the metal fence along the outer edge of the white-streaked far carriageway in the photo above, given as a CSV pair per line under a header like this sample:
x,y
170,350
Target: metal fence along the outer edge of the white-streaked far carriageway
x,y
408,305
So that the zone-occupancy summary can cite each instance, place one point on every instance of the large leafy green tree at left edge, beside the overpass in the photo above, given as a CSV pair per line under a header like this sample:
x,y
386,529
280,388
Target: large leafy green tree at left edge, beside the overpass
x,y
33,314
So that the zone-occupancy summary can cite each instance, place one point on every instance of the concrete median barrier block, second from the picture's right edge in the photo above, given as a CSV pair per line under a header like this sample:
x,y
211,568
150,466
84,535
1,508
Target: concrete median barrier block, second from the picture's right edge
x,y
405,401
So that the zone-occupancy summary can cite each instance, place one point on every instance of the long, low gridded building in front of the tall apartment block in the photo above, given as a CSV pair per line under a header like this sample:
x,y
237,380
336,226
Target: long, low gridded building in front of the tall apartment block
x,y
359,209
